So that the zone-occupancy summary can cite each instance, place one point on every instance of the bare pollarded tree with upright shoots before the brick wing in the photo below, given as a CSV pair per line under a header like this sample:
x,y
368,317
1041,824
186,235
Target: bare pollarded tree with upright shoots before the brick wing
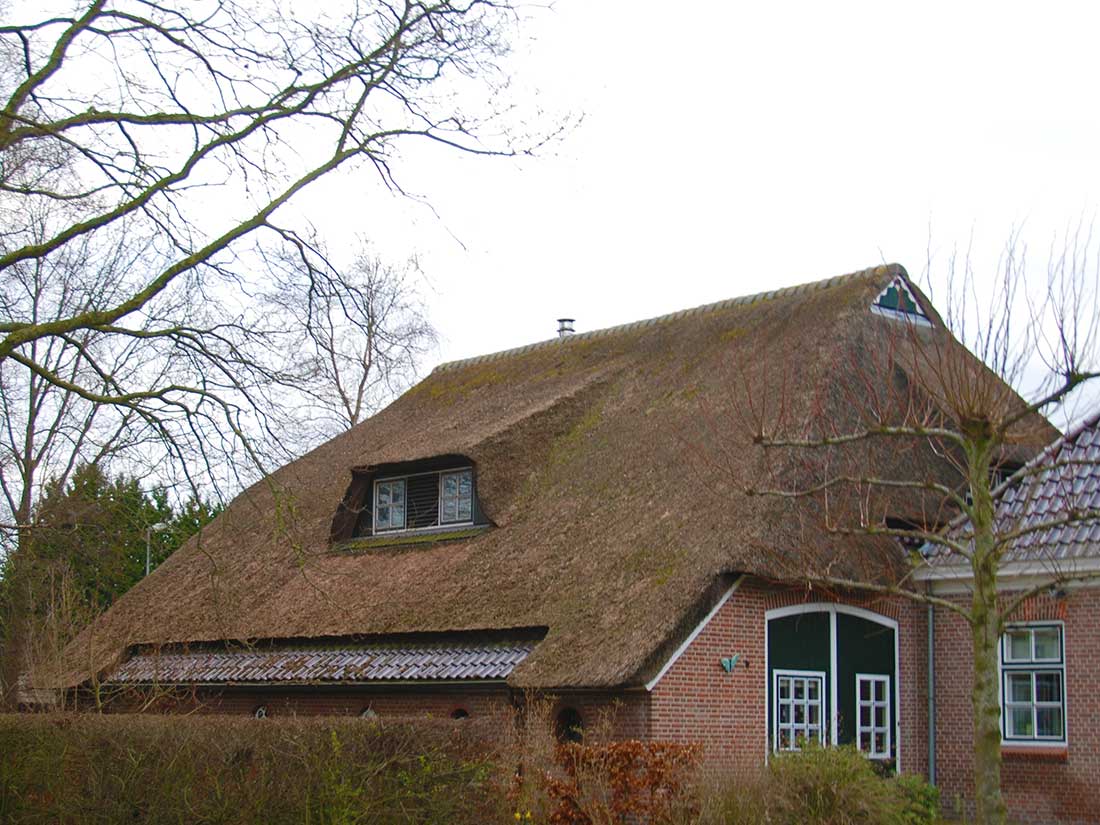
x,y
914,390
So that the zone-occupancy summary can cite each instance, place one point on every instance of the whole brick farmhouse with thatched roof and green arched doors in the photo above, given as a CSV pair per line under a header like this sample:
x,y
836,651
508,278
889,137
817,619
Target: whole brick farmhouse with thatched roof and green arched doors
x,y
570,519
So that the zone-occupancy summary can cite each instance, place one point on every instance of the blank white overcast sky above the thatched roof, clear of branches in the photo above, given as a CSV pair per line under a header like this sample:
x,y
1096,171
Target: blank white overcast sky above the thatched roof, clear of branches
x,y
730,148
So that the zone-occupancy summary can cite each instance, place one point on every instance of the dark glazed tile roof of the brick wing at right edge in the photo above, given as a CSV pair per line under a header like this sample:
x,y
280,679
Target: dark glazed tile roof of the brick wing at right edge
x,y
1062,485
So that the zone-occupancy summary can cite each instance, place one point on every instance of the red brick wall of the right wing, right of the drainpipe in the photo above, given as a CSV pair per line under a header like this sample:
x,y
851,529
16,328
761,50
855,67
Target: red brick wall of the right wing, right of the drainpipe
x,y
1037,789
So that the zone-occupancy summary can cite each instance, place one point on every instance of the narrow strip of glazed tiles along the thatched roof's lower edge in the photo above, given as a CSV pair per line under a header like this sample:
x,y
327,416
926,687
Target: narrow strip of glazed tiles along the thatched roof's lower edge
x,y
355,665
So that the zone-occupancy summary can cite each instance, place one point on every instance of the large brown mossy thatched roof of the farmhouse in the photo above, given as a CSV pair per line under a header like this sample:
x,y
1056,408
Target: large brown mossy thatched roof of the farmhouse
x,y
612,466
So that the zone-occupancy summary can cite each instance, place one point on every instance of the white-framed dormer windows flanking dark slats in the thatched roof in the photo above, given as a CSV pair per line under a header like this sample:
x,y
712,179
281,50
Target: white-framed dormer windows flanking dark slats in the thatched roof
x,y
455,501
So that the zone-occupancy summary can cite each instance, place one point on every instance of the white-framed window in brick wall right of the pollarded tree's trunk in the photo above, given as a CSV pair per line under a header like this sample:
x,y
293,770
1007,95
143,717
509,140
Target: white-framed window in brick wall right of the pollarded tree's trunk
x,y
1033,684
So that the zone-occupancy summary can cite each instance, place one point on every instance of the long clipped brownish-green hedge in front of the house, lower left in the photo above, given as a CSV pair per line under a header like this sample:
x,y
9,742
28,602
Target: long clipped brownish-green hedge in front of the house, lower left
x,y
81,771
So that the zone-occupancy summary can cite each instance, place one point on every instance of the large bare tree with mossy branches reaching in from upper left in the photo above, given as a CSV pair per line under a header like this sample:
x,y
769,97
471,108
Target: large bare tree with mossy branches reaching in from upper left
x,y
124,117
